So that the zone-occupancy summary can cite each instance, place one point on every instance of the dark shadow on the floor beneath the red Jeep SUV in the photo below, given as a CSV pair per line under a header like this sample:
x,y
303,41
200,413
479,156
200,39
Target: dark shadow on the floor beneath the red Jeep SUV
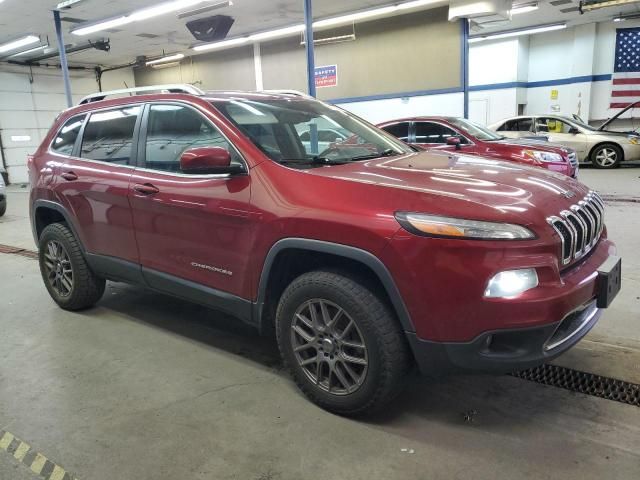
x,y
493,402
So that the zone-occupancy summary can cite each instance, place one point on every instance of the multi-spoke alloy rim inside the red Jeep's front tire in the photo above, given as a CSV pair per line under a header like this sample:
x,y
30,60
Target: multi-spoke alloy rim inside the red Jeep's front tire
x,y
329,347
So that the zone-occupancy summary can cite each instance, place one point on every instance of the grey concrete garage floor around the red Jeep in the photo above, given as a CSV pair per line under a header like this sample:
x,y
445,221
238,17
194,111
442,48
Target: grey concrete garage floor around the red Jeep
x,y
146,386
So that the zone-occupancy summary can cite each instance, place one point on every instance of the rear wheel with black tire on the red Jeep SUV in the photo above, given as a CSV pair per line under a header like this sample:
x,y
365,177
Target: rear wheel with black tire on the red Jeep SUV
x,y
86,288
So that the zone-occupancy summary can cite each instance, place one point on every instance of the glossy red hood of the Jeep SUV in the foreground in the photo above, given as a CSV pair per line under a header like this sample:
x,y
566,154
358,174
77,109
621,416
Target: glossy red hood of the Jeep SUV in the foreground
x,y
463,185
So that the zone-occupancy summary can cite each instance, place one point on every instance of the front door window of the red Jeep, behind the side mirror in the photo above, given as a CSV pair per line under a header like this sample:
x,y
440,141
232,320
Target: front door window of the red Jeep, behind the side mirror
x,y
172,129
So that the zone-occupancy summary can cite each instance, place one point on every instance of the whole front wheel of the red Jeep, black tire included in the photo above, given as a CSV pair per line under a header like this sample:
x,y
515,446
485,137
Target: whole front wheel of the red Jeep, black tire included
x,y
386,351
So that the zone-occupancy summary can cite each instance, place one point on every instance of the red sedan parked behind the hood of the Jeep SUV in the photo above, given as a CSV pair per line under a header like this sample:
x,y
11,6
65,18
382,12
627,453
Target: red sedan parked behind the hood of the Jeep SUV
x,y
451,133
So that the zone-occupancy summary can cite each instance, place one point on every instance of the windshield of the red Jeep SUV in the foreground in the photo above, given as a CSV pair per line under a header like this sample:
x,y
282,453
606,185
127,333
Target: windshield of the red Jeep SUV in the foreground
x,y
305,132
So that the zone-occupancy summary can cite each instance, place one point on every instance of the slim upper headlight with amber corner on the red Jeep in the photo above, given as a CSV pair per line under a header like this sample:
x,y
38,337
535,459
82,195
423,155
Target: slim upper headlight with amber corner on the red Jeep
x,y
437,226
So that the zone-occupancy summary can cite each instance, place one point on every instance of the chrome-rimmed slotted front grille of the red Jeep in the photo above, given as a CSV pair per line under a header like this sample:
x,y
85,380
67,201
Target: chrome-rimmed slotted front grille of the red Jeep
x,y
579,227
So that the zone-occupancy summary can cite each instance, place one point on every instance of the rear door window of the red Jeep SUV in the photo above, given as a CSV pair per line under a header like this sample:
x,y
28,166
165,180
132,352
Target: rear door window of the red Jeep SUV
x,y
108,136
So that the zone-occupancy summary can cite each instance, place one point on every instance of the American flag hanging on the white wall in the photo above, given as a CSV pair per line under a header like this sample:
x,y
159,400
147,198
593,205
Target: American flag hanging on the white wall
x,y
626,71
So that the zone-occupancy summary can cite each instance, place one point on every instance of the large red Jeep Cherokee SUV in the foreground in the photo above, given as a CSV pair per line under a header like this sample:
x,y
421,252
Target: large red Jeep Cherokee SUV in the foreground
x,y
366,258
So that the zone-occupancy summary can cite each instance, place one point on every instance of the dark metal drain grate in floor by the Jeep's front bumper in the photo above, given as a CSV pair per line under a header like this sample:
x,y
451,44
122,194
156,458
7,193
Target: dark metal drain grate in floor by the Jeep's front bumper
x,y
587,383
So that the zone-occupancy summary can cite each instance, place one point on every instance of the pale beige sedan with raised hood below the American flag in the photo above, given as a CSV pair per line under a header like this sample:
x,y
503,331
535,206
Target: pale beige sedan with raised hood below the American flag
x,y
603,148
